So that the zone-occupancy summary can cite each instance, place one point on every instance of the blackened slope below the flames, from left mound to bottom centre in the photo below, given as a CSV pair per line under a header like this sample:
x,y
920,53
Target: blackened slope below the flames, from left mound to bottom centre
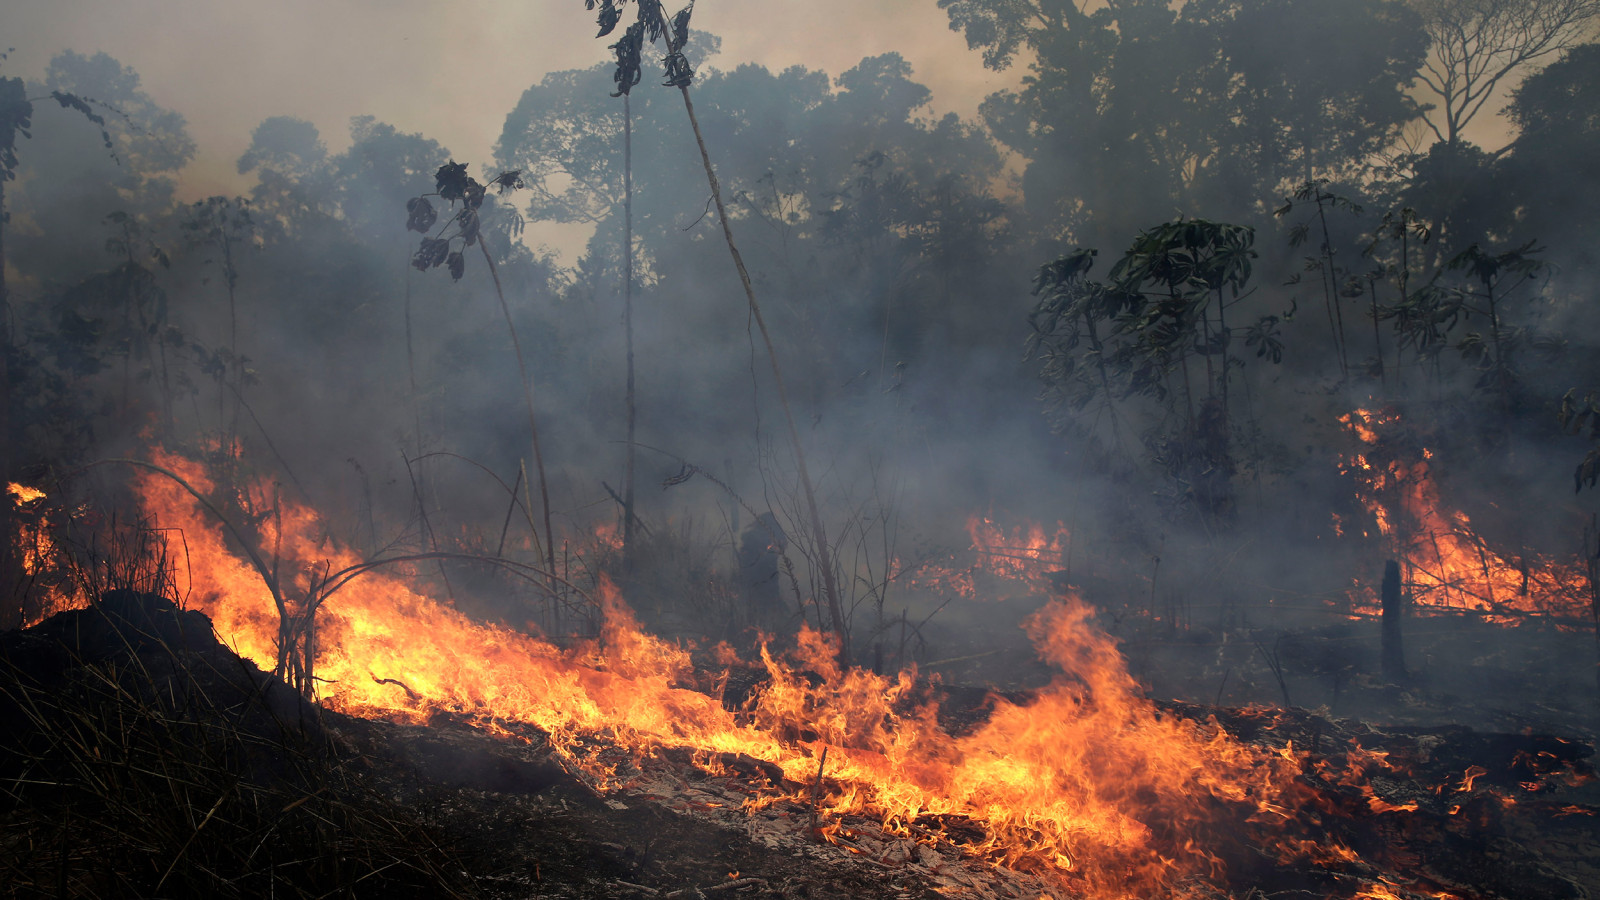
x,y
142,758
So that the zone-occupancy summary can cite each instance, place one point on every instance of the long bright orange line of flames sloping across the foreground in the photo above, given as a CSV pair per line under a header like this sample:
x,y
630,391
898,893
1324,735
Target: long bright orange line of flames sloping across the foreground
x,y
1090,781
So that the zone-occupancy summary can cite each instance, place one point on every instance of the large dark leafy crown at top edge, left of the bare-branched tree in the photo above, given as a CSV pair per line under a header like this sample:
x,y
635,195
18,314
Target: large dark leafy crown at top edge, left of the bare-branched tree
x,y
1207,106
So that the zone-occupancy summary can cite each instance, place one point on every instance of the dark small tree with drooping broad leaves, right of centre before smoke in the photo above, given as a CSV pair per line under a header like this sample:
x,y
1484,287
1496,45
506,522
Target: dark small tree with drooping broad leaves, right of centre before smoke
x,y
1148,332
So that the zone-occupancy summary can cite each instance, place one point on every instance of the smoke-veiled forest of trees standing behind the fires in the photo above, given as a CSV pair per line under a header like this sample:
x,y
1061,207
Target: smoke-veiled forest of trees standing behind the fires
x,y
1138,294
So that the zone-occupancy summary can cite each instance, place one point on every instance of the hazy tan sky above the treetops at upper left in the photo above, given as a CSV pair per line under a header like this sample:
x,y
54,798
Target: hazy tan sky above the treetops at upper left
x,y
449,70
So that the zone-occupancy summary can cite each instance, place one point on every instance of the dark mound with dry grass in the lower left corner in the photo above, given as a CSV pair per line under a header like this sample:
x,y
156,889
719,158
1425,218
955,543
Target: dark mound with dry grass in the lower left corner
x,y
138,760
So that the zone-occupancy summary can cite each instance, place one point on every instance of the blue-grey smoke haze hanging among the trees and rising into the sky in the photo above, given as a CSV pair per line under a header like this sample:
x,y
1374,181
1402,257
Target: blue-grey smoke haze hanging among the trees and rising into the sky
x,y
894,252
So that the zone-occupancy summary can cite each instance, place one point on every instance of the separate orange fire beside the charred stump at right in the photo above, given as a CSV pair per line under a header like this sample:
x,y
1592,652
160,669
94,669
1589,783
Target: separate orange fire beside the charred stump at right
x,y
1447,565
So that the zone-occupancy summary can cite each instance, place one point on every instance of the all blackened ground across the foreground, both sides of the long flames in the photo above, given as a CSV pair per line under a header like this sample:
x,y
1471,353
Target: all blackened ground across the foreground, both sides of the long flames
x,y
143,758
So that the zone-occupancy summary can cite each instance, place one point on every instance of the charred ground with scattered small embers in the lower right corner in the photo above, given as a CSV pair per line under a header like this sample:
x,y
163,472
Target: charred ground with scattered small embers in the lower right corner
x,y
1495,816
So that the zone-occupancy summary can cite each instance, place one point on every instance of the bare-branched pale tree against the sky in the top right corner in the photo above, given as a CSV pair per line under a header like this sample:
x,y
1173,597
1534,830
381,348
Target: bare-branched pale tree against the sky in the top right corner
x,y
1478,44
